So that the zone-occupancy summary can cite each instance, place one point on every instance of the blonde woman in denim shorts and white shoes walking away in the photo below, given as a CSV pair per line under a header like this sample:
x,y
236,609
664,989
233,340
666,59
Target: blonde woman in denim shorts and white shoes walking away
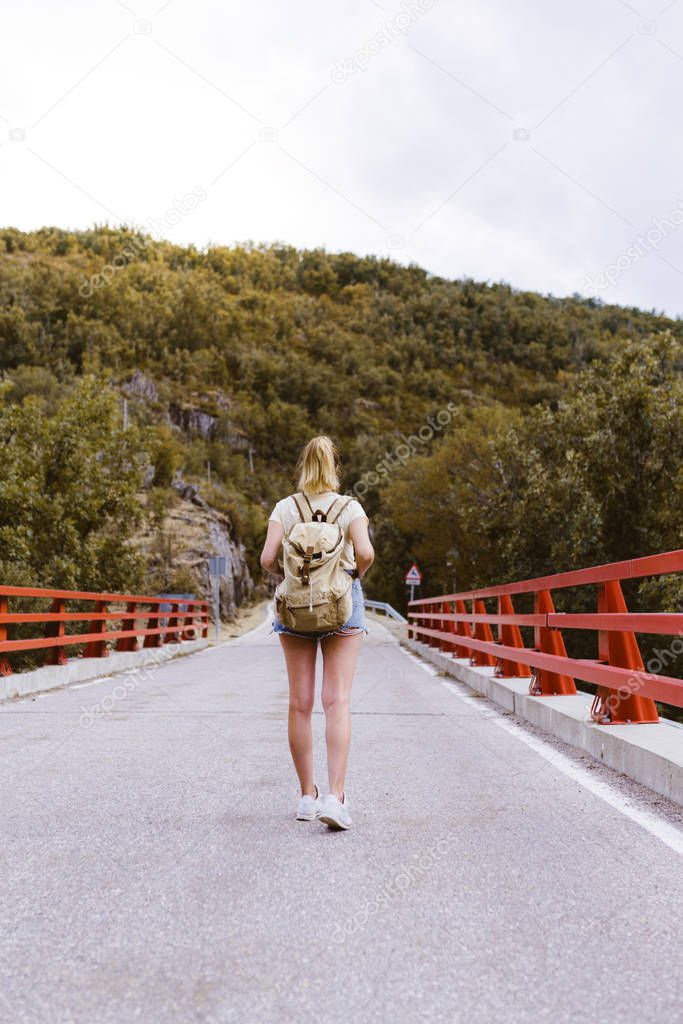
x,y
319,480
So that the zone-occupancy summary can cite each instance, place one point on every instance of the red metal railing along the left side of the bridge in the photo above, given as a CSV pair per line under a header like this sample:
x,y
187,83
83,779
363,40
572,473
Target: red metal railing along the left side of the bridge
x,y
166,621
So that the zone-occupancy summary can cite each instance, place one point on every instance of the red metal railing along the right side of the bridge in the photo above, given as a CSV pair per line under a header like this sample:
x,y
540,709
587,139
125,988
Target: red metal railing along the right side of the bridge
x,y
626,692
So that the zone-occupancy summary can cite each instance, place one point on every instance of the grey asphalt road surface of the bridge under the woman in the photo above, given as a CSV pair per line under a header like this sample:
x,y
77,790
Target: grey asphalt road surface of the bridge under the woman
x,y
153,871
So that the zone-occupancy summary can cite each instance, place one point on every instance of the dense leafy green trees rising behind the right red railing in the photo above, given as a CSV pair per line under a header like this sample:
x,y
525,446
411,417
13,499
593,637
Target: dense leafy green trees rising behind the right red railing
x,y
595,478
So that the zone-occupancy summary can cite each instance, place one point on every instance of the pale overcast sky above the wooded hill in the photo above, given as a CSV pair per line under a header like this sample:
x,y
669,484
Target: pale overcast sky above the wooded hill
x,y
537,143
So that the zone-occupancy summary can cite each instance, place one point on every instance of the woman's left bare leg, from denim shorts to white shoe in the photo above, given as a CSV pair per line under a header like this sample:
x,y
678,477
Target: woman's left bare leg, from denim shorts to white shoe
x,y
301,660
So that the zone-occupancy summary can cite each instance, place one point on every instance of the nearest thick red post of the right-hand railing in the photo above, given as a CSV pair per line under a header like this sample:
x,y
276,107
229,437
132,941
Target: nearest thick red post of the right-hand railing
x,y
615,707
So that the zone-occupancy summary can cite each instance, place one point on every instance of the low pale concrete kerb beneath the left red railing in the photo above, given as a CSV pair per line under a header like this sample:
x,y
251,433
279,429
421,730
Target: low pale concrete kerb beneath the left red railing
x,y
79,670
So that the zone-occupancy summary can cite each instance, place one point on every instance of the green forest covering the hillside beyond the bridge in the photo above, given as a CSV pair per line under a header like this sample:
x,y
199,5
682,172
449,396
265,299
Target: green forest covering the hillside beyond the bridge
x,y
491,434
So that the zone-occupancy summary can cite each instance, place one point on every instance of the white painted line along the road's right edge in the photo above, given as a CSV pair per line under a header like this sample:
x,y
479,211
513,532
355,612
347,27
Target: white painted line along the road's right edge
x,y
656,826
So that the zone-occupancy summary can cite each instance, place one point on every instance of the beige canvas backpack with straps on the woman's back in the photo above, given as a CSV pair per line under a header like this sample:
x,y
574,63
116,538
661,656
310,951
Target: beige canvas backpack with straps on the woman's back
x,y
316,594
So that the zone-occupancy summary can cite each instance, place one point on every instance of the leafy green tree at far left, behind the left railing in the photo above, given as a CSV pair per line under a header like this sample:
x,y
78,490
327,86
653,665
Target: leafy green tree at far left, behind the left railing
x,y
68,493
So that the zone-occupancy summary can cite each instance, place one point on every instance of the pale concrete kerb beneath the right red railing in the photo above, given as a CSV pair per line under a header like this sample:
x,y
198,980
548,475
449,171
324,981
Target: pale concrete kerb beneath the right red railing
x,y
651,754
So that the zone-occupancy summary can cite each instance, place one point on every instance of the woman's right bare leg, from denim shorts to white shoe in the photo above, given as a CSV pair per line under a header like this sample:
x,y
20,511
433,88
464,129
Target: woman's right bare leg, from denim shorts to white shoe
x,y
339,658
